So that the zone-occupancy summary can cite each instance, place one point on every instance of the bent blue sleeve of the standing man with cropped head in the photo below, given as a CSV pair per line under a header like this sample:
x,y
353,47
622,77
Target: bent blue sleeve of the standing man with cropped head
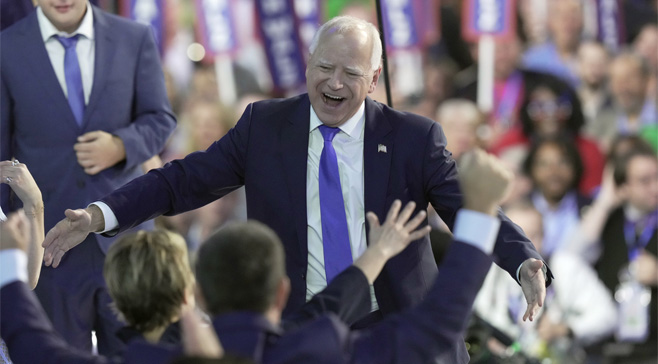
x,y
152,119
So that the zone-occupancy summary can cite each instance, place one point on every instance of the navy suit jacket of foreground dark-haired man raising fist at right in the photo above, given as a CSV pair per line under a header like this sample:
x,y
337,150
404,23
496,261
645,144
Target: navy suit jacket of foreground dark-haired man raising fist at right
x,y
423,334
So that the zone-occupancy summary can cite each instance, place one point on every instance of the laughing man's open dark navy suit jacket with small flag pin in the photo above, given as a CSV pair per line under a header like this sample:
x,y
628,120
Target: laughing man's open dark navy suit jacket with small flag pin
x,y
267,153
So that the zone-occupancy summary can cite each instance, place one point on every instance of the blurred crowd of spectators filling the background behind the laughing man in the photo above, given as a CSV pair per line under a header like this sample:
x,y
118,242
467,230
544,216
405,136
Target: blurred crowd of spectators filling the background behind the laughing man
x,y
574,118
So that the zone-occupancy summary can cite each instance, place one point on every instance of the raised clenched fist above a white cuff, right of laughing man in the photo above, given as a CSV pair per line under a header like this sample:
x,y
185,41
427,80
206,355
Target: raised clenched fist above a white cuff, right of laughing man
x,y
484,181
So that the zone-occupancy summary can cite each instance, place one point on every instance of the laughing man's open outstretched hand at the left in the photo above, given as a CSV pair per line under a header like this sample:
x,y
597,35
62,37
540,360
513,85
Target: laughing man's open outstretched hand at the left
x,y
70,232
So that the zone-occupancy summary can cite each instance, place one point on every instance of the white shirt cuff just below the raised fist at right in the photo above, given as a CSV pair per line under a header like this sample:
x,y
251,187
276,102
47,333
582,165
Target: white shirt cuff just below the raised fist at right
x,y
477,229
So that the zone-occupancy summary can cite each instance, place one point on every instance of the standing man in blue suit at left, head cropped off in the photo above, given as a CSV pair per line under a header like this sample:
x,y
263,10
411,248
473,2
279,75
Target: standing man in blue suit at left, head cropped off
x,y
83,104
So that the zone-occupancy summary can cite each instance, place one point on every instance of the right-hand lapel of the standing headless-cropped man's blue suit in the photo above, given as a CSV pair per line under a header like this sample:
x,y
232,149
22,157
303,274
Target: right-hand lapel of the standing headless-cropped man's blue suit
x,y
102,60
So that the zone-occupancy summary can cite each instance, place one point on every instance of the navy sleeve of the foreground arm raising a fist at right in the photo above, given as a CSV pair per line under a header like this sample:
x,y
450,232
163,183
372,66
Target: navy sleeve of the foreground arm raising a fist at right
x,y
430,330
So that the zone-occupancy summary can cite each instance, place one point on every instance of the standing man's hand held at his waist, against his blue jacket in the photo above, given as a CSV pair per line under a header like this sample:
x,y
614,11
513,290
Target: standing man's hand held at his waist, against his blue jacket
x,y
99,150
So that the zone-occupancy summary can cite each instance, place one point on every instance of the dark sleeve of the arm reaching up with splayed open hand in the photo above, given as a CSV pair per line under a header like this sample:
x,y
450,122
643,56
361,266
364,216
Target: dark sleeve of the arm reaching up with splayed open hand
x,y
347,296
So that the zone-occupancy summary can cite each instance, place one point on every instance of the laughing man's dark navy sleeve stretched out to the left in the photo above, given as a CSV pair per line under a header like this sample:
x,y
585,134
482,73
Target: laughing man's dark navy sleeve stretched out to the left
x,y
185,184
